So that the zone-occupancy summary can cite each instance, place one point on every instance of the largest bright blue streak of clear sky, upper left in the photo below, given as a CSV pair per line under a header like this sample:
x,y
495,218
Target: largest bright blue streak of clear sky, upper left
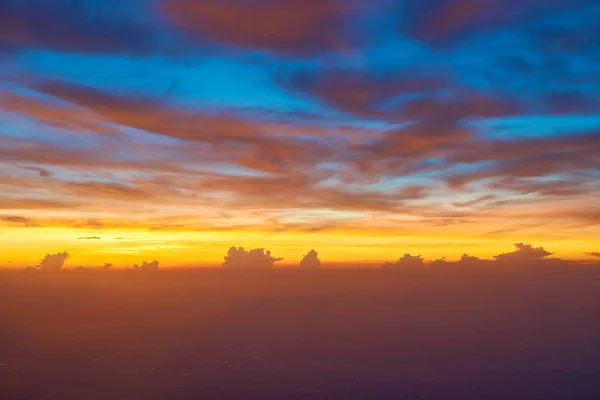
x,y
217,81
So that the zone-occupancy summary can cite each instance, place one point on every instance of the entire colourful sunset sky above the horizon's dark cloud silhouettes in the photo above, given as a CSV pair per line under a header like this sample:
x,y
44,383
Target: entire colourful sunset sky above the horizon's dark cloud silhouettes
x,y
137,130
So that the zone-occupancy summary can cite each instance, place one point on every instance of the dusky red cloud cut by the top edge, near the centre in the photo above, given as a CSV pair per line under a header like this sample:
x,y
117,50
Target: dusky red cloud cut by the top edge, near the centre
x,y
292,27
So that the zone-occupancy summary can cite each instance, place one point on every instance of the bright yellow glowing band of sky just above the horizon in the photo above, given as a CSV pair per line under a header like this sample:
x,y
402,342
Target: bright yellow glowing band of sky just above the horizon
x,y
124,248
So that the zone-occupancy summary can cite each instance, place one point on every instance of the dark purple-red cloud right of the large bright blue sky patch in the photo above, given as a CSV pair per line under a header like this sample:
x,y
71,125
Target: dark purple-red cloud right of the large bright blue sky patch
x,y
427,95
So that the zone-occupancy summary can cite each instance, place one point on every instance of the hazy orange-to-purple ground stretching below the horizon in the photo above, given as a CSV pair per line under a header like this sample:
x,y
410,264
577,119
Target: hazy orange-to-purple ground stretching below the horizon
x,y
520,333
